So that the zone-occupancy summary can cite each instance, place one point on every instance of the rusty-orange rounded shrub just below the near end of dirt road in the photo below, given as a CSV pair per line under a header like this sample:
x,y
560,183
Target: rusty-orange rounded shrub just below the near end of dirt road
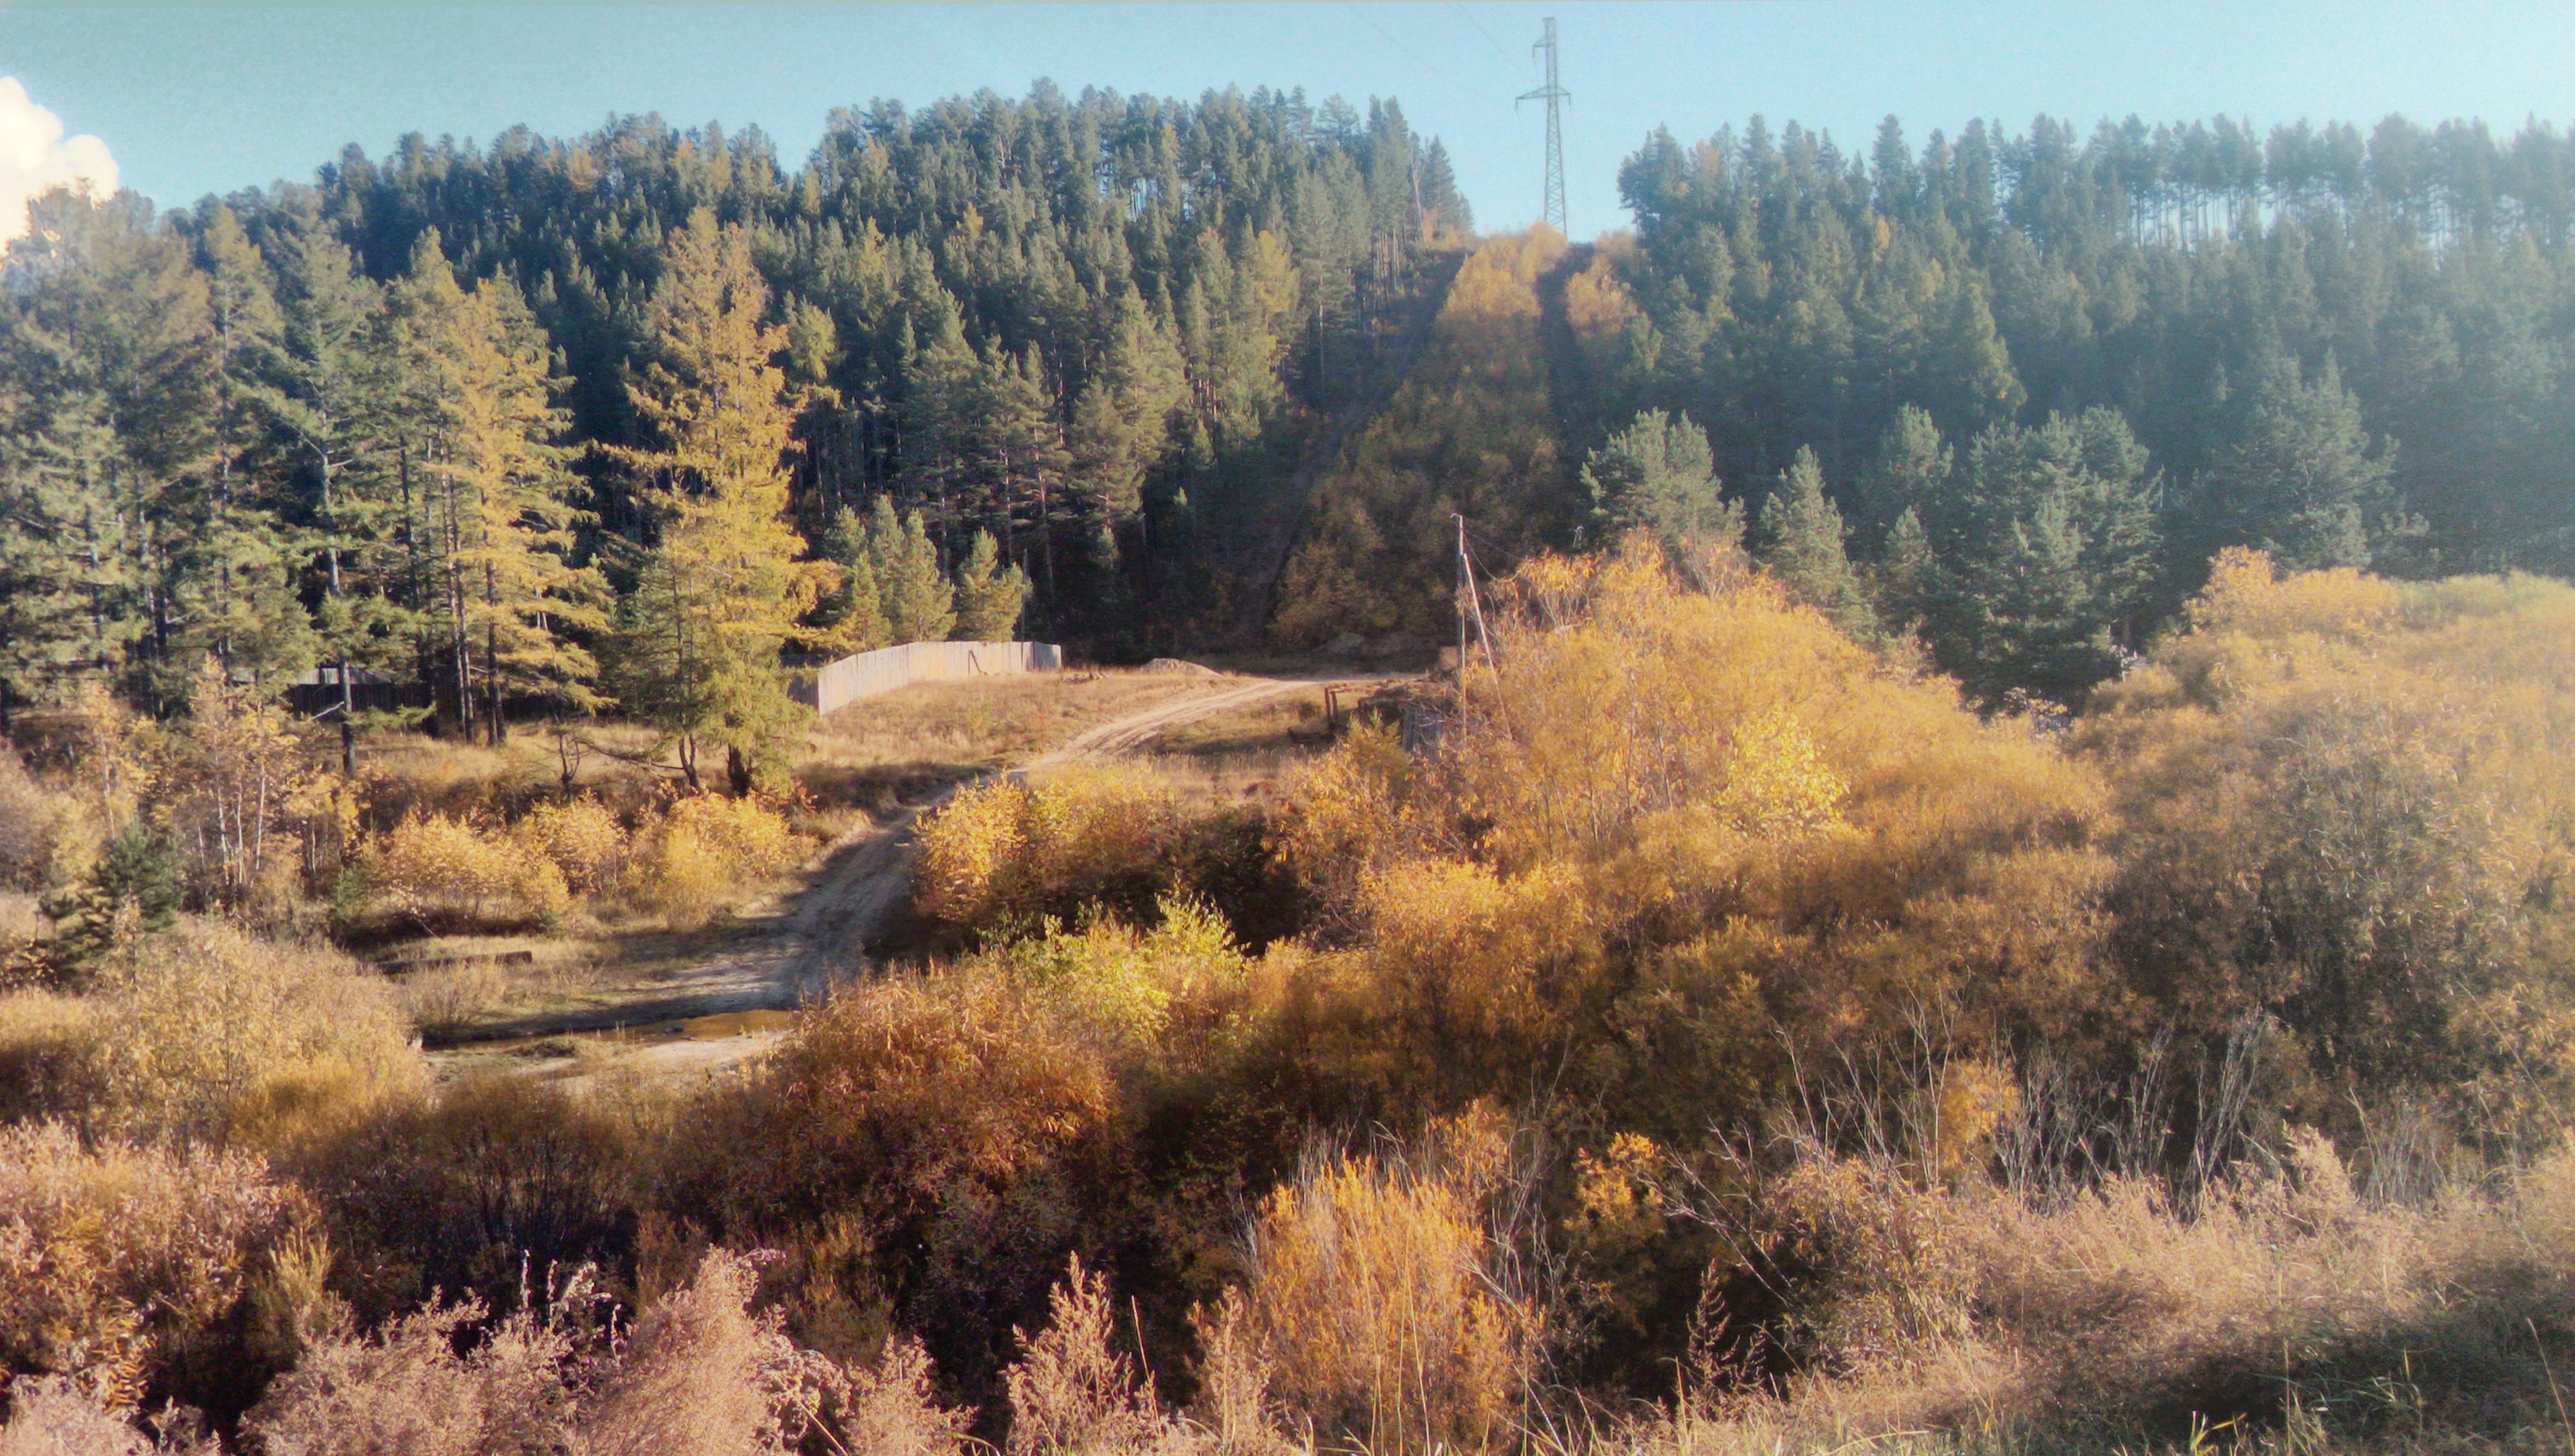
x,y
949,1136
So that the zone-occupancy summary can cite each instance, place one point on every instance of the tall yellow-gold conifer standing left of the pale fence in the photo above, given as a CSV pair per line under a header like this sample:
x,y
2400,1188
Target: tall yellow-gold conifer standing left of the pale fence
x,y
722,590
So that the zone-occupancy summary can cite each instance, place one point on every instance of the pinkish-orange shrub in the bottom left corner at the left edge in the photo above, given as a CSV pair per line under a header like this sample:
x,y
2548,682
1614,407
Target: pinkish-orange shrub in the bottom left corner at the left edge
x,y
133,1267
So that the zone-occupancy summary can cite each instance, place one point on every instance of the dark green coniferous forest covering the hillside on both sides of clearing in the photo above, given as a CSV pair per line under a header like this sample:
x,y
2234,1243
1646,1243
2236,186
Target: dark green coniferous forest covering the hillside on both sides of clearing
x,y
2043,377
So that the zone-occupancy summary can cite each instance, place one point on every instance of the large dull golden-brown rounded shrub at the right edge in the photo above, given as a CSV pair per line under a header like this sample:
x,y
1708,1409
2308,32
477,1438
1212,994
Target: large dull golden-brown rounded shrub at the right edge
x,y
2350,804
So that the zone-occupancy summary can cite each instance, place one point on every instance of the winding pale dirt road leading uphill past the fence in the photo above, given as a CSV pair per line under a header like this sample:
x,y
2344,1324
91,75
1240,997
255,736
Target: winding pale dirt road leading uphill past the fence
x,y
810,940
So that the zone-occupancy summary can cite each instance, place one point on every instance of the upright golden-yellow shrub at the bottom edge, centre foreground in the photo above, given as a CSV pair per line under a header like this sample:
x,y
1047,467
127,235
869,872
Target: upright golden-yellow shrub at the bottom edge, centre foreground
x,y
1384,1303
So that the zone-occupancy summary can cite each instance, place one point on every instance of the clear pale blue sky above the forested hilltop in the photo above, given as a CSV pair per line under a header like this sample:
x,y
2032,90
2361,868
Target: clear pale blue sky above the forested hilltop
x,y
212,99
